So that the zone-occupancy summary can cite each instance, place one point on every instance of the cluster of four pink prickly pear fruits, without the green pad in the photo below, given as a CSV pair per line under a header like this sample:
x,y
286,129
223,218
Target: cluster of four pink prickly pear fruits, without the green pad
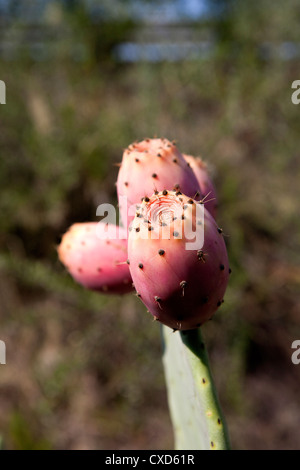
x,y
159,190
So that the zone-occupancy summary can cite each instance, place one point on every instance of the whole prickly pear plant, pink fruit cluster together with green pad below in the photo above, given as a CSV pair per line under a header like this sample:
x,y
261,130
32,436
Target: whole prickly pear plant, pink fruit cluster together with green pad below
x,y
171,252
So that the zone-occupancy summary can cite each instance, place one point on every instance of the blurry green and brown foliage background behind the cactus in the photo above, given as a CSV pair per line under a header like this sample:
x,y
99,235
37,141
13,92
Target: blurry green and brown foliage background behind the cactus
x,y
84,79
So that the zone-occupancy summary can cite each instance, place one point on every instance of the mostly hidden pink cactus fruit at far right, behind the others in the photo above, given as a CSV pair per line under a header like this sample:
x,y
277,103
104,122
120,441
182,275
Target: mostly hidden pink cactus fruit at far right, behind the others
x,y
207,187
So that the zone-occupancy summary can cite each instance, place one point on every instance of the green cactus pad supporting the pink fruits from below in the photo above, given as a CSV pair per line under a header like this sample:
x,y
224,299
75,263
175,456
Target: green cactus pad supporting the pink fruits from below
x,y
195,411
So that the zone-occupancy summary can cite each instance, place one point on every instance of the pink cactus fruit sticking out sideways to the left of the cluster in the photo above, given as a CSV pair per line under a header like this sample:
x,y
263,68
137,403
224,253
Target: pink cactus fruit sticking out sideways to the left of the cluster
x,y
95,255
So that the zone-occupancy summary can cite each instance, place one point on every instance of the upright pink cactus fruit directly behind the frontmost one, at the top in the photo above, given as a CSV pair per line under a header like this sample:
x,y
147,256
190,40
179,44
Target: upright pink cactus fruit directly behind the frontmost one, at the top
x,y
148,166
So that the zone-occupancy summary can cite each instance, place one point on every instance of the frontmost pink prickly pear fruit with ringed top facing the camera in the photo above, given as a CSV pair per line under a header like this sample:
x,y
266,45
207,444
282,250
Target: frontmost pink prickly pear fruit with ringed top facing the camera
x,y
182,288
